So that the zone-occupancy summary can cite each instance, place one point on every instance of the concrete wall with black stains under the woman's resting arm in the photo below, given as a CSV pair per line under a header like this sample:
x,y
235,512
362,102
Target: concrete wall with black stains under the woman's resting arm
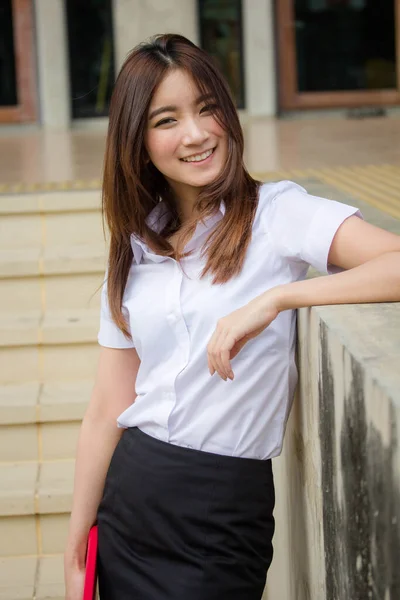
x,y
338,479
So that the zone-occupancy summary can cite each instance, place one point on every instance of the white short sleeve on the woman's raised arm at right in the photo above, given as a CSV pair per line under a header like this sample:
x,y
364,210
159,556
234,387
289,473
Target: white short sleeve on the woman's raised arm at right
x,y
303,226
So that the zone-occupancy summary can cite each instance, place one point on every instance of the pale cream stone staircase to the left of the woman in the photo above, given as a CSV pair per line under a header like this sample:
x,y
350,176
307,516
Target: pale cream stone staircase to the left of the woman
x,y
52,260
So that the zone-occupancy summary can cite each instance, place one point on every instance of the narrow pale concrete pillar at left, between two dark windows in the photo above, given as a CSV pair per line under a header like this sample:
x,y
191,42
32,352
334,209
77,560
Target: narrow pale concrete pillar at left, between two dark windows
x,y
52,55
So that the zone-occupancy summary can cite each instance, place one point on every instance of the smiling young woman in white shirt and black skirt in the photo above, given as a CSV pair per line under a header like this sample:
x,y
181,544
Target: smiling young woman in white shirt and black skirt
x,y
206,269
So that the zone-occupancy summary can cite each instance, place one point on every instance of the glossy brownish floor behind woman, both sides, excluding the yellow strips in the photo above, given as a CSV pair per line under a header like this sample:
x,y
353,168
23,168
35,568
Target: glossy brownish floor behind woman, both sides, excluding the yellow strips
x,y
271,145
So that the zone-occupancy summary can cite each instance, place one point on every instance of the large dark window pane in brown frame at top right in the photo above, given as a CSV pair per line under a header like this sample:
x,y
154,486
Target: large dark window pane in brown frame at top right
x,y
345,45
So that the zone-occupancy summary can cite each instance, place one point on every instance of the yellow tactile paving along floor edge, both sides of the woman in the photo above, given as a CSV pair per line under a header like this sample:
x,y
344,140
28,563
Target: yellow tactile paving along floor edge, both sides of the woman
x,y
378,185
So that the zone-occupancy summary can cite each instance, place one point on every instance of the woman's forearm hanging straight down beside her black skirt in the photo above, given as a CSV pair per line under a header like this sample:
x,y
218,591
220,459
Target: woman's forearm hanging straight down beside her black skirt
x,y
97,441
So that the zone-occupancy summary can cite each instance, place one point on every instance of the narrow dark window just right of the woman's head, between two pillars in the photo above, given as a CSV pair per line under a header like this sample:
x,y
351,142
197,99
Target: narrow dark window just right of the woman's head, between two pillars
x,y
221,36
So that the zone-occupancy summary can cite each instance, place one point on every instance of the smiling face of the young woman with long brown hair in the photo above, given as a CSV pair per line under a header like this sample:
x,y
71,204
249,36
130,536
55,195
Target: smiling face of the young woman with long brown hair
x,y
183,139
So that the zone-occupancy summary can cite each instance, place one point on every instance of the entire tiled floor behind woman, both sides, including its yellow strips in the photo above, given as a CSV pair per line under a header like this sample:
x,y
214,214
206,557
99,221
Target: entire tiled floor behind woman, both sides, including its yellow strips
x,y
358,157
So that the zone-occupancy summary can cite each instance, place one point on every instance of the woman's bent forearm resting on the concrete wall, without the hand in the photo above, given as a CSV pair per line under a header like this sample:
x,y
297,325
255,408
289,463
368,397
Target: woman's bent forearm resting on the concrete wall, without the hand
x,y
377,280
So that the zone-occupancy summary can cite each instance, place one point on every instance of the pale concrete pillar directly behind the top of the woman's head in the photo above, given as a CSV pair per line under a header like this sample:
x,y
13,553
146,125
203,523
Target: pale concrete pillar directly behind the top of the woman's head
x,y
136,20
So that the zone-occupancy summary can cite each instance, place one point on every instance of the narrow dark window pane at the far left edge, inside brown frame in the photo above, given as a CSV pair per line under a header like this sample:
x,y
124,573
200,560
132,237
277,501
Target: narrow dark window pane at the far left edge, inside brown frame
x,y
8,87
